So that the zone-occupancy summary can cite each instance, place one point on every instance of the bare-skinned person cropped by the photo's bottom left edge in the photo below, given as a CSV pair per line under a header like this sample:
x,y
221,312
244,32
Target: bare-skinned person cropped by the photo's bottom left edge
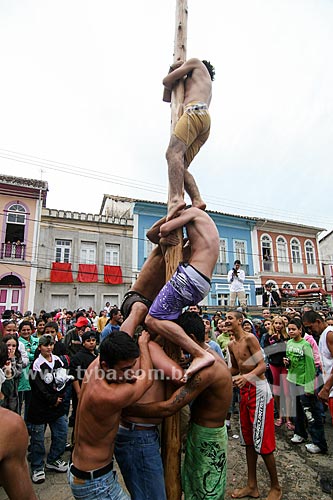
x,y
13,449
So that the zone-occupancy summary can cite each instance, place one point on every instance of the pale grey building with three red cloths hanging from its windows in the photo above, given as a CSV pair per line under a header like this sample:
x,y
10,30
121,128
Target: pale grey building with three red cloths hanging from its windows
x,y
85,260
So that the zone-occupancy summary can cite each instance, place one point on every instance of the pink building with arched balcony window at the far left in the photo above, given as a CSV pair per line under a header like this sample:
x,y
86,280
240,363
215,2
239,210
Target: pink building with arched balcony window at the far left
x,y
21,202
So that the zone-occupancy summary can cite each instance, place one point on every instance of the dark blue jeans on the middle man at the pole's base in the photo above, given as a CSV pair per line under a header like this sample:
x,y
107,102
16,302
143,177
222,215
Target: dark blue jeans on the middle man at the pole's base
x,y
139,459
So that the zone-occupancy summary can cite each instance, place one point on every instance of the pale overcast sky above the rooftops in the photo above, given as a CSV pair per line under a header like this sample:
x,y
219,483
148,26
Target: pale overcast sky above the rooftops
x,y
81,101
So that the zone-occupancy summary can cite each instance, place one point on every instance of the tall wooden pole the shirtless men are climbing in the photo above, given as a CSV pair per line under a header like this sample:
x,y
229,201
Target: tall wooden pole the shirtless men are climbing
x,y
171,445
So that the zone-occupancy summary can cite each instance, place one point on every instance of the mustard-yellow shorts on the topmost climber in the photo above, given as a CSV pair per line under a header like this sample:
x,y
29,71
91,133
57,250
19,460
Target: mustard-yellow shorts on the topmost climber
x,y
193,128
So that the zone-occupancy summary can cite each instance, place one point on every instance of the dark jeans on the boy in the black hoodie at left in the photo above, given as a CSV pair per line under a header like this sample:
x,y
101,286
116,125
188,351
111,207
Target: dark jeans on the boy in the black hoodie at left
x,y
58,442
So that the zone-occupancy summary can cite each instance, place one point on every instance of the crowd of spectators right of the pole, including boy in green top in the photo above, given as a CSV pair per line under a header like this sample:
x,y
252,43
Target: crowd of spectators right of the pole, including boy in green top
x,y
293,361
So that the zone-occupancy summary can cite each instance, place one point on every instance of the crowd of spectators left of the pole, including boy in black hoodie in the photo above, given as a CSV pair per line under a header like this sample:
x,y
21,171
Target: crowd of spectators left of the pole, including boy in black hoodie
x,y
48,354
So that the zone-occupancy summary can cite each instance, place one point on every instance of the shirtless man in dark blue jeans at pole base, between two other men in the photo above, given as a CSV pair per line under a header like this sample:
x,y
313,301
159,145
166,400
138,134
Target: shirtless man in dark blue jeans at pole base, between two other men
x,y
137,445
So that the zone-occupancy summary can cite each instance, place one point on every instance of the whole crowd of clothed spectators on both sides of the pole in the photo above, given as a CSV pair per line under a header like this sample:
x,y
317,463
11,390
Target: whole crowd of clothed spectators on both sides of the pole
x,y
49,353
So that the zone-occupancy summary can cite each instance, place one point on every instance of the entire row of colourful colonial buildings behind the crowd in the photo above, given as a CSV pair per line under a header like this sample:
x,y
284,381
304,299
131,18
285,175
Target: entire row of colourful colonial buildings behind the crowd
x,y
53,258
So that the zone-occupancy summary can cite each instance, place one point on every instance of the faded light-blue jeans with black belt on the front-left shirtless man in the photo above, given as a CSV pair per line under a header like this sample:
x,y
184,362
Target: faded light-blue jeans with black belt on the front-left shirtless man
x,y
105,487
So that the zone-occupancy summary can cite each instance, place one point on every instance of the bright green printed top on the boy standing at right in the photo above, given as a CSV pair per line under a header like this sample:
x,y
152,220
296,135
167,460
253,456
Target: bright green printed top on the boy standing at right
x,y
302,370
